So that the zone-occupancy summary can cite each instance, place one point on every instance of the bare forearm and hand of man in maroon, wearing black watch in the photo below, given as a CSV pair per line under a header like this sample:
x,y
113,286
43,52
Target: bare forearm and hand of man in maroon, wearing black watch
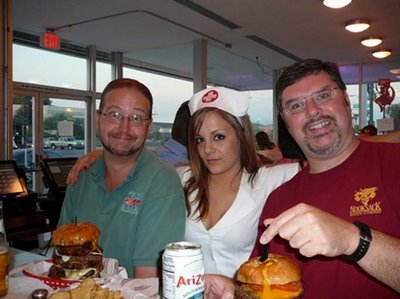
x,y
332,236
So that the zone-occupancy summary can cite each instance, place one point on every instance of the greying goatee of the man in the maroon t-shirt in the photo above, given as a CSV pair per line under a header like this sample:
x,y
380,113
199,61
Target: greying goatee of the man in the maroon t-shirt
x,y
330,148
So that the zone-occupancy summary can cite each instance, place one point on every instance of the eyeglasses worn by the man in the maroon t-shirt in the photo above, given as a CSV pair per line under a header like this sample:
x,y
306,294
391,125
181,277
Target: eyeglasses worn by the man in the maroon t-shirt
x,y
320,98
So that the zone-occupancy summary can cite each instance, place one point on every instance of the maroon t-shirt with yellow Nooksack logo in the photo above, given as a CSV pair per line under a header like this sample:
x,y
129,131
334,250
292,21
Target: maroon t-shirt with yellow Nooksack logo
x,y
365,187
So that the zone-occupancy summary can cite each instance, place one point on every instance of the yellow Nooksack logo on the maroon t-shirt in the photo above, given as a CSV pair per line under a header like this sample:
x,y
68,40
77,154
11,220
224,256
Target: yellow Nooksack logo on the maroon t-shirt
x,y
364,197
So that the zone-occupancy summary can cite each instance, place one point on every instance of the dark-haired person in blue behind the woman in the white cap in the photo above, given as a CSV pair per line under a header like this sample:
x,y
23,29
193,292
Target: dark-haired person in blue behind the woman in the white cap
x,y
174,150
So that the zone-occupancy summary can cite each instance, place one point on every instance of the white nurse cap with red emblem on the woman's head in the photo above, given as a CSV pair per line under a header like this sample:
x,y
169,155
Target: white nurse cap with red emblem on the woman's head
x,y
229,100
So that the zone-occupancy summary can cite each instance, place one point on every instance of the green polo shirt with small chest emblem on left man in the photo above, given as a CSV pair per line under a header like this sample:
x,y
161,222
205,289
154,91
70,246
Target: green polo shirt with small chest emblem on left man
x,y
138,218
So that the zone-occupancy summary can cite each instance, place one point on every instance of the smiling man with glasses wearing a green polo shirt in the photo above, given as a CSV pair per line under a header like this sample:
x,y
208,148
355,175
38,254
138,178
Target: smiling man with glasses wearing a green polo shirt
x,y
131,195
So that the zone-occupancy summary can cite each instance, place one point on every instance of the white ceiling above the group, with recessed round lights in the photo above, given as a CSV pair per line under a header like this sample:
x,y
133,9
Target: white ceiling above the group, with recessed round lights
x,y
160,33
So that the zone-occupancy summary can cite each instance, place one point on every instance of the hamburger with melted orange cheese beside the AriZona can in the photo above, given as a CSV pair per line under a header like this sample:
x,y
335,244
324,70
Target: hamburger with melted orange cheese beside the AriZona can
x,y
277,277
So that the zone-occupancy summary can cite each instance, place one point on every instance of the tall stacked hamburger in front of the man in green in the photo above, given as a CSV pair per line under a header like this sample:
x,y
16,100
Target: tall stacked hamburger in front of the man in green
x,y
77,254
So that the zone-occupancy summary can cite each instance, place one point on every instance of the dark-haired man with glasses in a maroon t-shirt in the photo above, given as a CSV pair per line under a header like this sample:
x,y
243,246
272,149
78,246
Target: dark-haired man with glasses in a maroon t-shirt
x,y
339,217
